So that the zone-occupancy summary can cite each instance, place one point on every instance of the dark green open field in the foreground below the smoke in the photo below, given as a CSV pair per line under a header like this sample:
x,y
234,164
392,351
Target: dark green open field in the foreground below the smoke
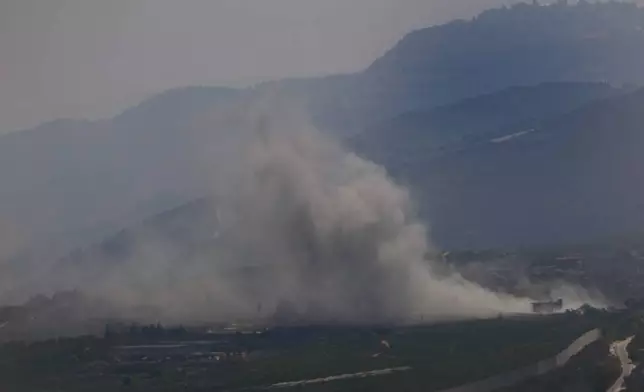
x,y
433,357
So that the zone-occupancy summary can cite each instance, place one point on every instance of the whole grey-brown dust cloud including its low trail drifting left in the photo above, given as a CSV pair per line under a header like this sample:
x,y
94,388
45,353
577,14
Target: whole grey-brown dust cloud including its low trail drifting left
x,y
305,230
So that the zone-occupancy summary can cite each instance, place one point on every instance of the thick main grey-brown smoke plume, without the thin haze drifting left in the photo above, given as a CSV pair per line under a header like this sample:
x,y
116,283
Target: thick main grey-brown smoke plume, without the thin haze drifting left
x,y
338,238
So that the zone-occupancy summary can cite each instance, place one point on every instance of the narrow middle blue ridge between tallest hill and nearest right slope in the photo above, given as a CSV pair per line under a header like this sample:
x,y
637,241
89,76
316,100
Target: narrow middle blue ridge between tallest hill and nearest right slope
x,y
450,127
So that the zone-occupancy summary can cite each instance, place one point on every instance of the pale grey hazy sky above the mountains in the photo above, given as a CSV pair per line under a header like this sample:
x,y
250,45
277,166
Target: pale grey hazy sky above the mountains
x,y
89,58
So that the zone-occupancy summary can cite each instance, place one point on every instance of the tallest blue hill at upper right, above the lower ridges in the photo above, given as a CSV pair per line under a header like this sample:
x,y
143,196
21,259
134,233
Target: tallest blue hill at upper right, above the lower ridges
x,y
521,45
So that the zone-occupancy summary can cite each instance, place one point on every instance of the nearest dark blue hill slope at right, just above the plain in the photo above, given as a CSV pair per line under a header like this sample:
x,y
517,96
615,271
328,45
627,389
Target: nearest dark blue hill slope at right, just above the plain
x,y
573,178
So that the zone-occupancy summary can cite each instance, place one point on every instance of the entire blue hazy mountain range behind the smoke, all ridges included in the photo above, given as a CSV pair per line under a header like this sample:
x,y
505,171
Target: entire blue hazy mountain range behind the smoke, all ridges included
x,y
446,91
